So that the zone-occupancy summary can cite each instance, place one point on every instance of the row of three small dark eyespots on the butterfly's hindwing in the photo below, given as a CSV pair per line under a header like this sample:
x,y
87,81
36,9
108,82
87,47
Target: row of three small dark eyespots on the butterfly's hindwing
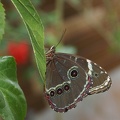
x,y
59,90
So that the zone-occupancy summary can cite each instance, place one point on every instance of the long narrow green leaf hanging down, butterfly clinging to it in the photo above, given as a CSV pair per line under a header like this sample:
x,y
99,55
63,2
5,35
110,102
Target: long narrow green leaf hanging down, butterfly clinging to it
x,y
35,29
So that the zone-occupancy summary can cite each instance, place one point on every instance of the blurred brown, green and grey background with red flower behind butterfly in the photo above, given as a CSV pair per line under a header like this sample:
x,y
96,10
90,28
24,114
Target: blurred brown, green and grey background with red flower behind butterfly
x,y
93,31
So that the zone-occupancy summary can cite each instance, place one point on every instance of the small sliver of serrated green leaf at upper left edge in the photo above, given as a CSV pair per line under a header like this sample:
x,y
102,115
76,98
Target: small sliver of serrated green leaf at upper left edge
x,y
2,20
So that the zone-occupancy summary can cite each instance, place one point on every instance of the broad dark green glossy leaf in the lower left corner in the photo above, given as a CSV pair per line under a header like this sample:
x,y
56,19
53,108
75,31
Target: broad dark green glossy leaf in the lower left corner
x,y
12,100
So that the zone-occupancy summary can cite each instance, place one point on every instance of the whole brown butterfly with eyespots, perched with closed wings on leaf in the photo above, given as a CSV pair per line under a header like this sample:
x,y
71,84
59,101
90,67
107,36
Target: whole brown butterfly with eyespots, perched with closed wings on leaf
x,y
70,78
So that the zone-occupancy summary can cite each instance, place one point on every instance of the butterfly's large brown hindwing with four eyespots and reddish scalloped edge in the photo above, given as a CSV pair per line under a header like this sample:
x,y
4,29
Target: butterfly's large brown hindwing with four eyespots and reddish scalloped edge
x,y
66,83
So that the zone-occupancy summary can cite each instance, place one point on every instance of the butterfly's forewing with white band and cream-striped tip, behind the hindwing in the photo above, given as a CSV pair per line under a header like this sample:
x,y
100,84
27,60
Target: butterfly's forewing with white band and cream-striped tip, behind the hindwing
x,y
101,80
